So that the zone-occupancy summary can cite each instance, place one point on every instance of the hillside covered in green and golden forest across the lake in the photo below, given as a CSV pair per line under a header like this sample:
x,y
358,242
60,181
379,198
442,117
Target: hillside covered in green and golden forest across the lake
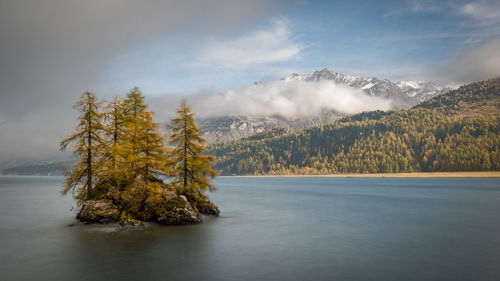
x,y
457,131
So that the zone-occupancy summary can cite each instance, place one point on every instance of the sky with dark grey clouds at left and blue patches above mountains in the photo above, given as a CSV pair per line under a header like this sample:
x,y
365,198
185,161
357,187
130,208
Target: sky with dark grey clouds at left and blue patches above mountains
x,y
53,50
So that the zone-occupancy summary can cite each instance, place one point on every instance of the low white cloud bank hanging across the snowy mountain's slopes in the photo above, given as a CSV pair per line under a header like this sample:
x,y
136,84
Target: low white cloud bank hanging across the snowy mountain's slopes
x,y
288,99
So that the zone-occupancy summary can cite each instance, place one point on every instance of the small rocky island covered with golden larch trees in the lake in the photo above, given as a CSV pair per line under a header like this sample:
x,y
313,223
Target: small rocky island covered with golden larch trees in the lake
x,y
129,173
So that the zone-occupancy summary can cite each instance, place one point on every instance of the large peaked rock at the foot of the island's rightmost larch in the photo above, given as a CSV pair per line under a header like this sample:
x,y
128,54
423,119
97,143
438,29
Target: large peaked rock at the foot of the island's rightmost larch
x,y
179,211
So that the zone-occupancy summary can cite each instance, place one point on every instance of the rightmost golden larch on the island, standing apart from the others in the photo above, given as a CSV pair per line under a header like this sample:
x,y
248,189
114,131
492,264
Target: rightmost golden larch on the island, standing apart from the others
x,y
190,168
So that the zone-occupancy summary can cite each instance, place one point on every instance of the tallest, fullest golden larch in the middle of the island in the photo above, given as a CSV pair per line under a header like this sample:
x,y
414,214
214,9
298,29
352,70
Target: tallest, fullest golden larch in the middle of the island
x,y
143,158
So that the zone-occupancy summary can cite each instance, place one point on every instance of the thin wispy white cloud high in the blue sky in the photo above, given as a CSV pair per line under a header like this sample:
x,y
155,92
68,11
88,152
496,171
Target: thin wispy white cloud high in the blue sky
x,y
259,48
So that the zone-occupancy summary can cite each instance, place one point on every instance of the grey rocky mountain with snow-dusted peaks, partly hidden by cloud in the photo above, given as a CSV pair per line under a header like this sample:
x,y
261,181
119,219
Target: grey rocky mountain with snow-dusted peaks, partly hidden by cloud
x,y
403,94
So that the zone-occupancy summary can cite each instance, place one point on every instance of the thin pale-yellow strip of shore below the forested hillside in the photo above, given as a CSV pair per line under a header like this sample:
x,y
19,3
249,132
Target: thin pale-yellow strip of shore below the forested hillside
x,y
495,174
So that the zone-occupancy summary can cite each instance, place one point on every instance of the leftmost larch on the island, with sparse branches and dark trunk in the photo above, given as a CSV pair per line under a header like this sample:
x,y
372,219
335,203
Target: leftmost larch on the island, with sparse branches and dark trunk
x,y
87,142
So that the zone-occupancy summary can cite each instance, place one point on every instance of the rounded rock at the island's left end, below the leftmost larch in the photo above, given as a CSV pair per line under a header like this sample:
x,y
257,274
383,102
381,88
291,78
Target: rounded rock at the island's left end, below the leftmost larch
x,y
98,212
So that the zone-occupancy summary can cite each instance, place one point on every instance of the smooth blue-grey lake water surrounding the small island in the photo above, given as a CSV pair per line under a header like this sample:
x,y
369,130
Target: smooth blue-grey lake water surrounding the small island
x,y
270,229
